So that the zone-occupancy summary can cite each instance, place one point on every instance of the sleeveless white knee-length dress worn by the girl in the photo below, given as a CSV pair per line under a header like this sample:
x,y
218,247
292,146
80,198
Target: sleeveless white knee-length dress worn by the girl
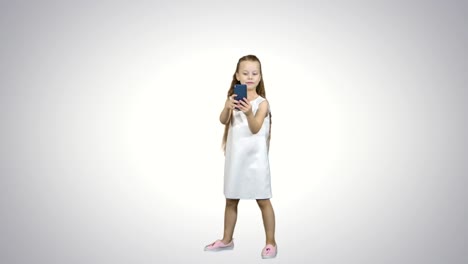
x,y
247,167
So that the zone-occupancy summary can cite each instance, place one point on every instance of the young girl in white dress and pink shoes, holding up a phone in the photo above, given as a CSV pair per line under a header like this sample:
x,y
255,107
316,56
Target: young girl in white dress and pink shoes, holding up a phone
x,y
246,144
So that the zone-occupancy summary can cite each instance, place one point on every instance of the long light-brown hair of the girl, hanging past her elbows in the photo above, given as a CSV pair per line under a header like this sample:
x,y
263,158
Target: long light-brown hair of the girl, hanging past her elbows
x,y
260,91
